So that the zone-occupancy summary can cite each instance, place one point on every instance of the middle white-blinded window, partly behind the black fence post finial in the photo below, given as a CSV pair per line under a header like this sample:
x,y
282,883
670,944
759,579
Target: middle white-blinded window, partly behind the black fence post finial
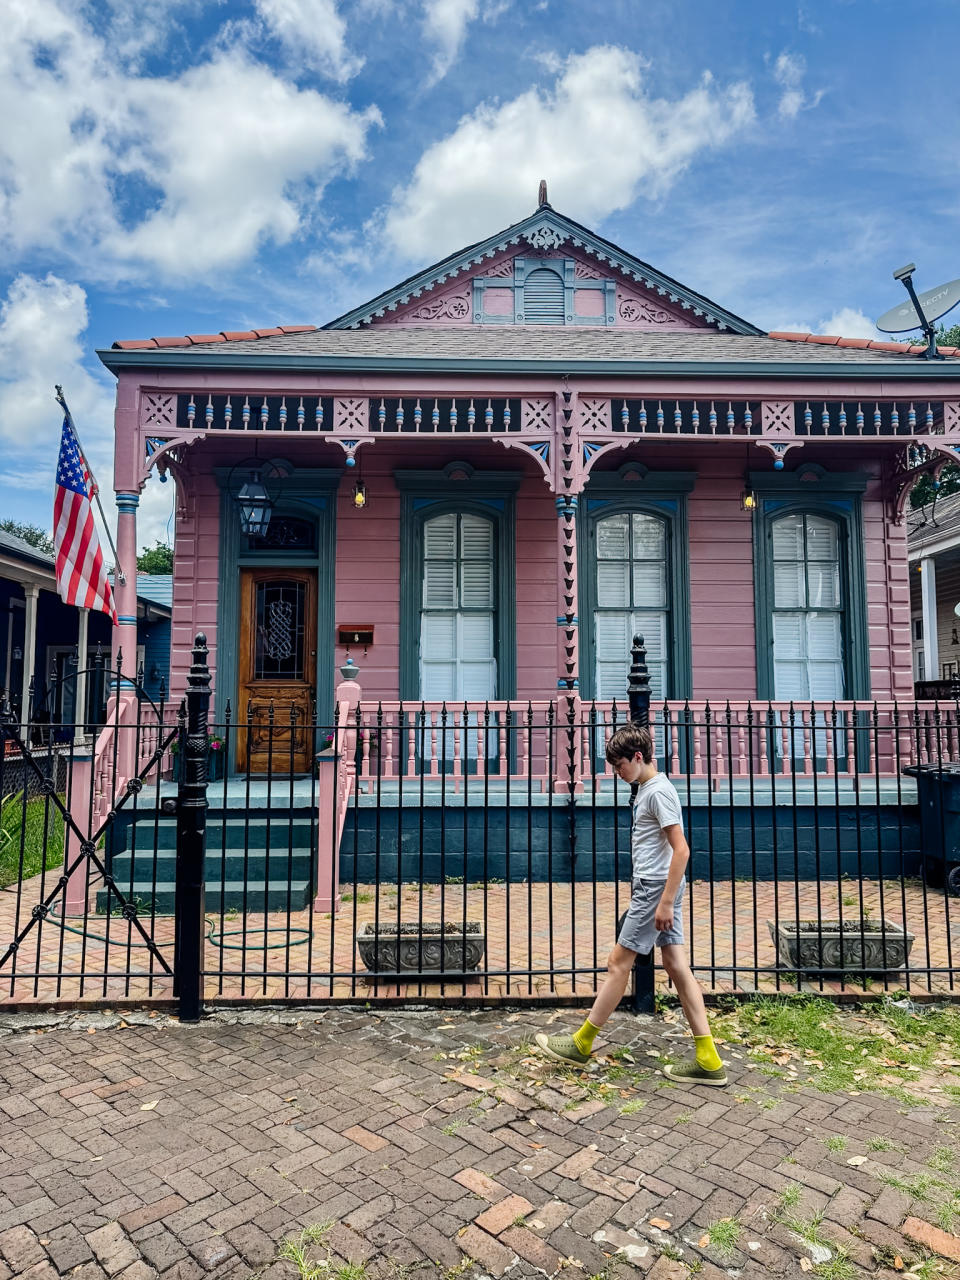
x,y
632,597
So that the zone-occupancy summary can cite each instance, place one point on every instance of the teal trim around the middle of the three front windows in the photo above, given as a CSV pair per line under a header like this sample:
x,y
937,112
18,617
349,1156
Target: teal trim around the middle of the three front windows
x,y
632,490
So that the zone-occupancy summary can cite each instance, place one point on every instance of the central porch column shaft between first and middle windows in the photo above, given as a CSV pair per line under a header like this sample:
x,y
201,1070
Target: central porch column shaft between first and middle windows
x,y
569,770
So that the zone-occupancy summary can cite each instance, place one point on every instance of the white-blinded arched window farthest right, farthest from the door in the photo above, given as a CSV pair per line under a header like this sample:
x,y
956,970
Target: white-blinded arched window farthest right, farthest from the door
x,y
808,609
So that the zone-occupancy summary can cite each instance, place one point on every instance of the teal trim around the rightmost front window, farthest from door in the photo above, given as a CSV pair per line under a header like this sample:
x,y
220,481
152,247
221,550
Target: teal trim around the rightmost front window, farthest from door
x,y
839,496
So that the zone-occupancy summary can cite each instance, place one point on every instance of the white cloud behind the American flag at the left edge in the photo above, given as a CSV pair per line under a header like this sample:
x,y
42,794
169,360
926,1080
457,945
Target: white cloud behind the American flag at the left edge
x,y
42,327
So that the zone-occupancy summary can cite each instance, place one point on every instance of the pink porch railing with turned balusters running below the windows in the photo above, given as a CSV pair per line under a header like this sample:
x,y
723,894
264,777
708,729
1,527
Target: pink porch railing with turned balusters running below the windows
x,y
528,742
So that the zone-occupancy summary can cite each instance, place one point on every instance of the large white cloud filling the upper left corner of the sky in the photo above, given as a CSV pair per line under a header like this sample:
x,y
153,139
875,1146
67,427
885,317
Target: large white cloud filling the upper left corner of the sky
x,y
129,173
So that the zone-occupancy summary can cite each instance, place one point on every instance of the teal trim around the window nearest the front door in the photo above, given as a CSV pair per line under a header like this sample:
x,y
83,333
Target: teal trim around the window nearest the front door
x,y
458,488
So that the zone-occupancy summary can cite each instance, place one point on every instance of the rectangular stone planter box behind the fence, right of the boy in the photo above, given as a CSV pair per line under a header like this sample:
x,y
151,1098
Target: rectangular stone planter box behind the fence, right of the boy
x,y
815,947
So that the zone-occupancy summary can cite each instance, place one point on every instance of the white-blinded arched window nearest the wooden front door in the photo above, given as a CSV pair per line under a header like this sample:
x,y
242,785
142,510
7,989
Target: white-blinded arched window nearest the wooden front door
x,y
458,619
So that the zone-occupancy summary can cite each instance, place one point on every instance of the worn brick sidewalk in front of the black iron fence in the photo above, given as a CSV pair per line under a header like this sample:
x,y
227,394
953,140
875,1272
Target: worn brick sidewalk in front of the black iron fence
x,y
149,1149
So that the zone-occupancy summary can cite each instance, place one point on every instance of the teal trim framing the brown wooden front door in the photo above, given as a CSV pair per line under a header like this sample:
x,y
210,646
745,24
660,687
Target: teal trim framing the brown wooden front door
x,y
312,493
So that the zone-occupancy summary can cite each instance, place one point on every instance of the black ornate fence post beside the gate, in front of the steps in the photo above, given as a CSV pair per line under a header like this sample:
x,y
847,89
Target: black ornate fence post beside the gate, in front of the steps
x,y
191,840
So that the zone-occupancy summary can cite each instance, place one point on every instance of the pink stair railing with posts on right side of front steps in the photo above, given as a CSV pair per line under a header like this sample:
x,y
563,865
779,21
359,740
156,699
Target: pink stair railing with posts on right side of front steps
x,y
335,788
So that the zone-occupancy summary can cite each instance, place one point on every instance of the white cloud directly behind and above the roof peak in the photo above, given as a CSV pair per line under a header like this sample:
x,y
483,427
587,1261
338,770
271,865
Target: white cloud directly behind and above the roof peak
x,y
597,136
